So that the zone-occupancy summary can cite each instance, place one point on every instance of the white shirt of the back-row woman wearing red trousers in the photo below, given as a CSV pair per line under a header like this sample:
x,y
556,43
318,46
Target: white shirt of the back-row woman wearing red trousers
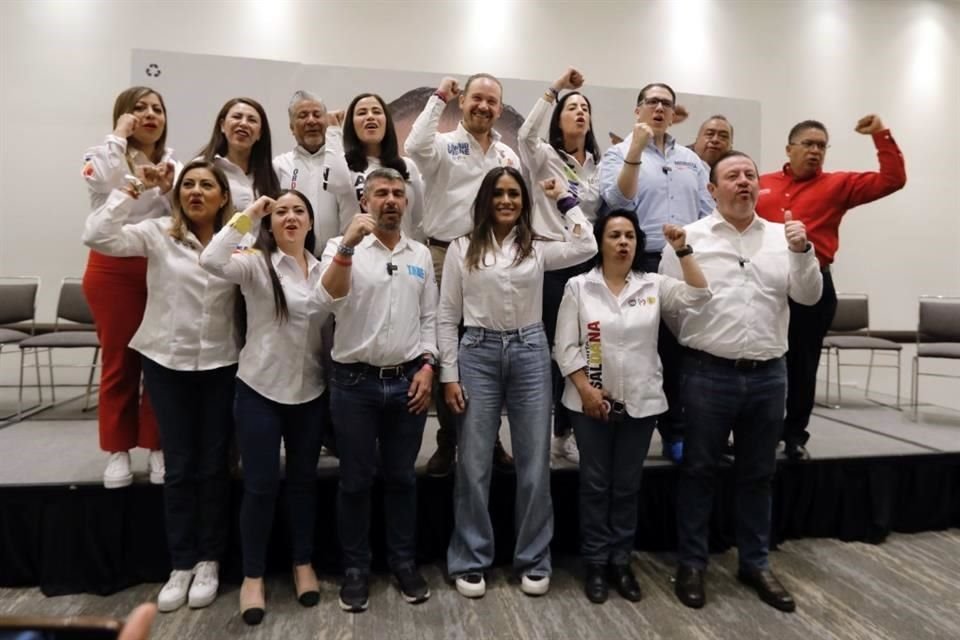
x,y
105,167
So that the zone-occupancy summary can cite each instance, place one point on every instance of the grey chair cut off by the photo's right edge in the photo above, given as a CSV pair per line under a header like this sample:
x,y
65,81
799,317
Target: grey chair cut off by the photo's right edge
x,y
938,336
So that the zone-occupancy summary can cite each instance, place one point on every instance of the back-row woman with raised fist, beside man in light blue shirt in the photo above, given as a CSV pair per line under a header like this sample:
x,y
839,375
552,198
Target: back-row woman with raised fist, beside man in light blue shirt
x,y
570,151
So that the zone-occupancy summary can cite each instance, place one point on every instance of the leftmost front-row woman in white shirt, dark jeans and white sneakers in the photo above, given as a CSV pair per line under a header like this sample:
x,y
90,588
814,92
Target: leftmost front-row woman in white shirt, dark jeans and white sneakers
x,y
189,351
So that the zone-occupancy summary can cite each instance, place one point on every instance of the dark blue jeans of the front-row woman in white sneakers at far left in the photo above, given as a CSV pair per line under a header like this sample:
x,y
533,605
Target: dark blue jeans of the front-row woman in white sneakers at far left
x,y
195,421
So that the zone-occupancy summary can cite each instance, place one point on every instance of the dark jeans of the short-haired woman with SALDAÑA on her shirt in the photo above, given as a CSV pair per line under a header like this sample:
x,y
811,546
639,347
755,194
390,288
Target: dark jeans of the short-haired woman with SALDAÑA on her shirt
x,y
611,463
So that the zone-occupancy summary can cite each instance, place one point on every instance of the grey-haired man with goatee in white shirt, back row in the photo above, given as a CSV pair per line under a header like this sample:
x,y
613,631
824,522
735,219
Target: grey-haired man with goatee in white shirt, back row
x,y
303,167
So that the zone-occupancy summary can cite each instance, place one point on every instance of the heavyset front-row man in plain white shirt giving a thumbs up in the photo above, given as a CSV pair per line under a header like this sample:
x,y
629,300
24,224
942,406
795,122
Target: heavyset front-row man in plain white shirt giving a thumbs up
x,y
735,372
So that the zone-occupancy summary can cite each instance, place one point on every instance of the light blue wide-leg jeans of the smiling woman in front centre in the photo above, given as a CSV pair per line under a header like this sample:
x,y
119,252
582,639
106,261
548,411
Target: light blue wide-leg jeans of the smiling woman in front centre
x,y
511,367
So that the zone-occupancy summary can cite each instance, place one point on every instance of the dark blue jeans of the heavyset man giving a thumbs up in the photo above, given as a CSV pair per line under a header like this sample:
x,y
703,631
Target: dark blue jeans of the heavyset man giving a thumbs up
x,y
719,398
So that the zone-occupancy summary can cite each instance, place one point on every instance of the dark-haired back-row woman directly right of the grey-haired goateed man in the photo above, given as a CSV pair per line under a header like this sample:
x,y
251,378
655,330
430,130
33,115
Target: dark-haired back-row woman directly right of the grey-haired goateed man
x,y
368,141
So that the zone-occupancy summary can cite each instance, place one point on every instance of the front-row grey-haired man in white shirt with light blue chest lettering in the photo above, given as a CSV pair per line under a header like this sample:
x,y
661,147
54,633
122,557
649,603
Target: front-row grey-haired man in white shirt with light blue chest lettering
x,y
379,283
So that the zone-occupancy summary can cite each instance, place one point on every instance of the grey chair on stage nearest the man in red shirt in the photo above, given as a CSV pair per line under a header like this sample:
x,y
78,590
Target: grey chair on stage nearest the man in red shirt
x,y
853,315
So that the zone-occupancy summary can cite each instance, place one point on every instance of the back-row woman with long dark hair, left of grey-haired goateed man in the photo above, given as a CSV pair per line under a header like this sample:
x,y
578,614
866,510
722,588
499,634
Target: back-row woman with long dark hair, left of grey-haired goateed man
x,y
240,146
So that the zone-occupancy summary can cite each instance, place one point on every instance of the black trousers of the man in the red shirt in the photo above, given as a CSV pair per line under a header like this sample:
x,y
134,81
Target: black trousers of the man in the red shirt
x,y
808,326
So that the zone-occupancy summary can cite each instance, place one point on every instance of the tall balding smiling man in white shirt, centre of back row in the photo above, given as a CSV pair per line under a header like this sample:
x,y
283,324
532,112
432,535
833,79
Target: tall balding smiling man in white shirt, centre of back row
x,y
453,165
